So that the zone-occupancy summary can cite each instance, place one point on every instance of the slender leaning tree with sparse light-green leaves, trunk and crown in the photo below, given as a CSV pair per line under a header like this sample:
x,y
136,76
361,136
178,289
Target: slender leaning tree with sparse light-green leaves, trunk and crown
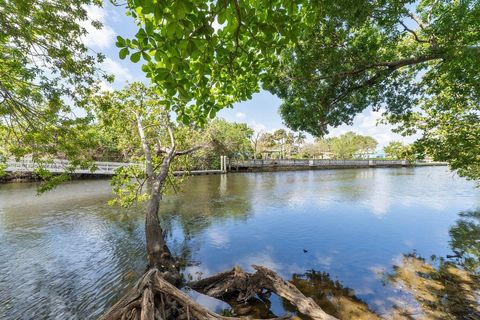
x,y
137,116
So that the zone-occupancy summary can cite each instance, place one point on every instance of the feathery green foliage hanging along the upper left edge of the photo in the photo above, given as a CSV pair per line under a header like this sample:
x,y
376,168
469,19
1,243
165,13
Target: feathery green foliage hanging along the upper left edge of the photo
x,y
43,63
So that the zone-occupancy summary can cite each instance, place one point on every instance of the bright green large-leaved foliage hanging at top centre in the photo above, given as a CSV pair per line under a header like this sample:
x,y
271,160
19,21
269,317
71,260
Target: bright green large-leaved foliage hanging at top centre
x,y
204,56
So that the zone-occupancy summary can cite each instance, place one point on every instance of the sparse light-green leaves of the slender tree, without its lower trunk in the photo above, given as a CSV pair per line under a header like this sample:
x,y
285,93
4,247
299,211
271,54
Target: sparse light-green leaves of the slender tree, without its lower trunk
x,y
123,117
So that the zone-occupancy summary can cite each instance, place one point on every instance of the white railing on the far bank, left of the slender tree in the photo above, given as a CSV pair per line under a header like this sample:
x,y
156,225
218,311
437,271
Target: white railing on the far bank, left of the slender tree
x,y
59,166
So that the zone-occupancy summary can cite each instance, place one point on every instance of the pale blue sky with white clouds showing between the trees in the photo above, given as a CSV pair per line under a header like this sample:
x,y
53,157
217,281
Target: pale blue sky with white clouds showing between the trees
x,y
260,113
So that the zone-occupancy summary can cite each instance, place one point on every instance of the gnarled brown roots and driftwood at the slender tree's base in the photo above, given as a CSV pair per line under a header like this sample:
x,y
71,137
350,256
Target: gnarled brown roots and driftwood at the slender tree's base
x,y
154,298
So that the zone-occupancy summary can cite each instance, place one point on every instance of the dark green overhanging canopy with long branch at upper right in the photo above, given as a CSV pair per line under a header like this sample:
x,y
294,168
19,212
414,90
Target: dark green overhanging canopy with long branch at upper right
x,y
418,61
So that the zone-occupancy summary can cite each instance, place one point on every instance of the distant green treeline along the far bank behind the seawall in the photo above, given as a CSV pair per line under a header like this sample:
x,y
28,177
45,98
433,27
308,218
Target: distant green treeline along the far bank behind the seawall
x,y
239,141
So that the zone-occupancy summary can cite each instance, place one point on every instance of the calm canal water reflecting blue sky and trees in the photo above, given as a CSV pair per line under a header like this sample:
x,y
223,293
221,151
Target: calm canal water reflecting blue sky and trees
x,y
356,240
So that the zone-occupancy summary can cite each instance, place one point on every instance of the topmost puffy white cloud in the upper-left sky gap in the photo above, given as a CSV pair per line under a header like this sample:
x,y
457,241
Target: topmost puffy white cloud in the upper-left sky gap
x,y
97,38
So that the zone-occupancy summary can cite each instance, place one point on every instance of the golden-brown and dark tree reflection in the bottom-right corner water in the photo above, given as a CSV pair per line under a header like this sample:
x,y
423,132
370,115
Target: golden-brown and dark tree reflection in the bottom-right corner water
x,y
446,288
